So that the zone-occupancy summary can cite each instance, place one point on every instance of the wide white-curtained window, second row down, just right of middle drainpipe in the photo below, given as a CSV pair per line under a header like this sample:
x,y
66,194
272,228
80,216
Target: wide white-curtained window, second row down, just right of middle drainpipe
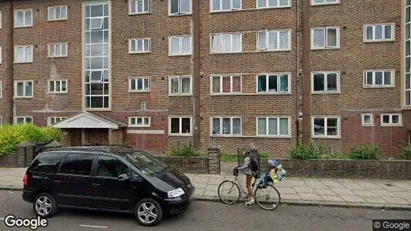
x,y
226,43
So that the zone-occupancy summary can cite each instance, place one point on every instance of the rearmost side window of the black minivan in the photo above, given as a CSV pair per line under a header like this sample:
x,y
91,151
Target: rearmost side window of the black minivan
x,y
47,163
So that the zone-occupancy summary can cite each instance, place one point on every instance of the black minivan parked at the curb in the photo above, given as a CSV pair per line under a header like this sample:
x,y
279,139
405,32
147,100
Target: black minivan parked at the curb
x,y
107,178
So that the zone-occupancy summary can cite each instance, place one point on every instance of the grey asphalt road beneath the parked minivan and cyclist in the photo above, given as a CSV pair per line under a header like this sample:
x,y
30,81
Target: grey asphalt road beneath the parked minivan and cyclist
x,y
207,216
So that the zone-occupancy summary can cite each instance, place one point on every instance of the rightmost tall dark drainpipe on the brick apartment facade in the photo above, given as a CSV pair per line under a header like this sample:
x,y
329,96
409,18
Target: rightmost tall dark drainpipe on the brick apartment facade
x,y
306,96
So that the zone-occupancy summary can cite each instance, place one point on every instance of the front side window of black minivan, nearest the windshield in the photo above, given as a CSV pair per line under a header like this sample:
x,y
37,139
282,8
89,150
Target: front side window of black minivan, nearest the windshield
x,y
108,166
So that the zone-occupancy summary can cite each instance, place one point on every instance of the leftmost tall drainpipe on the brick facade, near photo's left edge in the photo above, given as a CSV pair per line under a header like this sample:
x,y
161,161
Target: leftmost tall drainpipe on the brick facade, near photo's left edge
x,y
9,70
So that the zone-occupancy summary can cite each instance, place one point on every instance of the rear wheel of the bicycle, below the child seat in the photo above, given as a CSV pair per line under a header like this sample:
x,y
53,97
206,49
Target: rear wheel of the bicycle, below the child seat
x,y
268,198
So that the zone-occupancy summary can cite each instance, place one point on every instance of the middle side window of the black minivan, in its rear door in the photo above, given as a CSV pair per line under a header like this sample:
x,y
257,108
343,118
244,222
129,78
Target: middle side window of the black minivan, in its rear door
x,y
77,164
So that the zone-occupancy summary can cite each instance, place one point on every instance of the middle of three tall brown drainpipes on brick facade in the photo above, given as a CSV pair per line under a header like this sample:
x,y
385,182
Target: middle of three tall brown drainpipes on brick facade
x,y
196,74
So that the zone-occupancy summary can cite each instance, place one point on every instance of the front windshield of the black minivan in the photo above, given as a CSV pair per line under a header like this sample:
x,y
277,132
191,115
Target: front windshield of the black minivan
x,y
146,163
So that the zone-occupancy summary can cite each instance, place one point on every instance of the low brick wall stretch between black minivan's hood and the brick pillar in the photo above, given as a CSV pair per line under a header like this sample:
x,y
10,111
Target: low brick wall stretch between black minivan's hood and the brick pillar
x,y
199,165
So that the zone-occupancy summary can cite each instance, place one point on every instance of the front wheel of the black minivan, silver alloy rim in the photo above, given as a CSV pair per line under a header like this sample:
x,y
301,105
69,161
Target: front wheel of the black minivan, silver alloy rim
x,y
148,212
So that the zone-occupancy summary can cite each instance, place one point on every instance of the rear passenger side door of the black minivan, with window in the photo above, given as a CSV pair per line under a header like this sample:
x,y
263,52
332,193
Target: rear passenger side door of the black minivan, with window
x,y
74,181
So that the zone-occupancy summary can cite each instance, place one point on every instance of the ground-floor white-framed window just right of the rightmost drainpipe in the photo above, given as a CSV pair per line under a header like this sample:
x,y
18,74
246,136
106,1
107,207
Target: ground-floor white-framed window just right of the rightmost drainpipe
x,y
326,127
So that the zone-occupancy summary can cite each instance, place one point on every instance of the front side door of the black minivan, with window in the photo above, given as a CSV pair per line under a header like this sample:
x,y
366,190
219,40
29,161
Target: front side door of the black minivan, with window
x,y
110,190
